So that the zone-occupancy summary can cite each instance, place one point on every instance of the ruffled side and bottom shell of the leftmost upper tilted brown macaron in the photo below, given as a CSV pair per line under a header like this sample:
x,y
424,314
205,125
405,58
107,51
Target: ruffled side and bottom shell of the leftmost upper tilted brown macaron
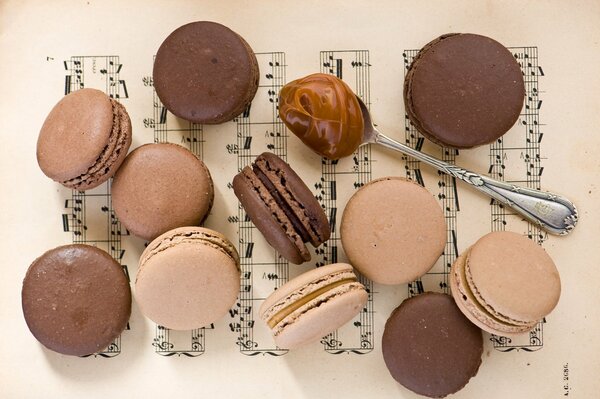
x,y
110,154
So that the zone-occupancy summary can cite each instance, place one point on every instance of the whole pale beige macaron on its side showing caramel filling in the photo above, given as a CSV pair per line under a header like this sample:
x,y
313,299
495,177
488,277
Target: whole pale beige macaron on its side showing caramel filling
x,y
312,305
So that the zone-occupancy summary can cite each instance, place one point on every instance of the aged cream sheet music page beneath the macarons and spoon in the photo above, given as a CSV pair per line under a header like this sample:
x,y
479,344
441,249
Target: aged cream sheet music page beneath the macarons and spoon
x,y
52,48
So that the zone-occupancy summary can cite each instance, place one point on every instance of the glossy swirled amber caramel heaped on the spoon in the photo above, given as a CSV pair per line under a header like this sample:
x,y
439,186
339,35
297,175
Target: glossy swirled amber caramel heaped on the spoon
x,y
324,113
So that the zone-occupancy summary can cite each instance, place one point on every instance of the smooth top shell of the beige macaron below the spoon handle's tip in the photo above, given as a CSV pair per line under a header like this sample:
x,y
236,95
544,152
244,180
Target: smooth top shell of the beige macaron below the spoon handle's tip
x,y
513,277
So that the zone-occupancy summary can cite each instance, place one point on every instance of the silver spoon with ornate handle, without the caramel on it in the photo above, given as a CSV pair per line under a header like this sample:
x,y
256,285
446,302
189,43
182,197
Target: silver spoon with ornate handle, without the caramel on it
x,y
552,212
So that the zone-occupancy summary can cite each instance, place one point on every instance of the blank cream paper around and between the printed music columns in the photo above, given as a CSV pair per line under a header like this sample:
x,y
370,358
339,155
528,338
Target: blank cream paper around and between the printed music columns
x,y
37,36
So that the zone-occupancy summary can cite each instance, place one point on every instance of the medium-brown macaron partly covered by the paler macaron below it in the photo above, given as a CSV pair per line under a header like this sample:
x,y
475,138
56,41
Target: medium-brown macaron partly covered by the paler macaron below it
x,y
160,187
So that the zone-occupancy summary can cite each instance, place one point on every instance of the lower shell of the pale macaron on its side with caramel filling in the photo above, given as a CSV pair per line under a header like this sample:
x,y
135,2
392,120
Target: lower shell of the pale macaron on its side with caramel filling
x,y
321,316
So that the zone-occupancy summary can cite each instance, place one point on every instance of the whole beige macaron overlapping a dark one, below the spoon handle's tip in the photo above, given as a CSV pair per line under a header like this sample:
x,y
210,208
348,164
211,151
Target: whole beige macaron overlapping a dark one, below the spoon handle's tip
x,y
505,283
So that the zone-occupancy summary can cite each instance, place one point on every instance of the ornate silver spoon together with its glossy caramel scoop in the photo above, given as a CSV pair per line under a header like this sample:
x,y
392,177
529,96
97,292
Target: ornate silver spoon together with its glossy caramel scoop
x,y
331,120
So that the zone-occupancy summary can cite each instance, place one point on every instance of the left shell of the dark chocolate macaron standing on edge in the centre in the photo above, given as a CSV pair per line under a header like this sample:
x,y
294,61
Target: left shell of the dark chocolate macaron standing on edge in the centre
x,y
268,218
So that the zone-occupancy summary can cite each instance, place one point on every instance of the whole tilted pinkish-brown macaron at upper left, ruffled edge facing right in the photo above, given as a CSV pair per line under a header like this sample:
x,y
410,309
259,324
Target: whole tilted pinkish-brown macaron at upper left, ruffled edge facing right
x,y
84,139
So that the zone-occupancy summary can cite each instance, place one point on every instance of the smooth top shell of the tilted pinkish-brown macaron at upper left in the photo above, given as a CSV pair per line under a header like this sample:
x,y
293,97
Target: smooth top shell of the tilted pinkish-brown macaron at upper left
x,y
74,134
